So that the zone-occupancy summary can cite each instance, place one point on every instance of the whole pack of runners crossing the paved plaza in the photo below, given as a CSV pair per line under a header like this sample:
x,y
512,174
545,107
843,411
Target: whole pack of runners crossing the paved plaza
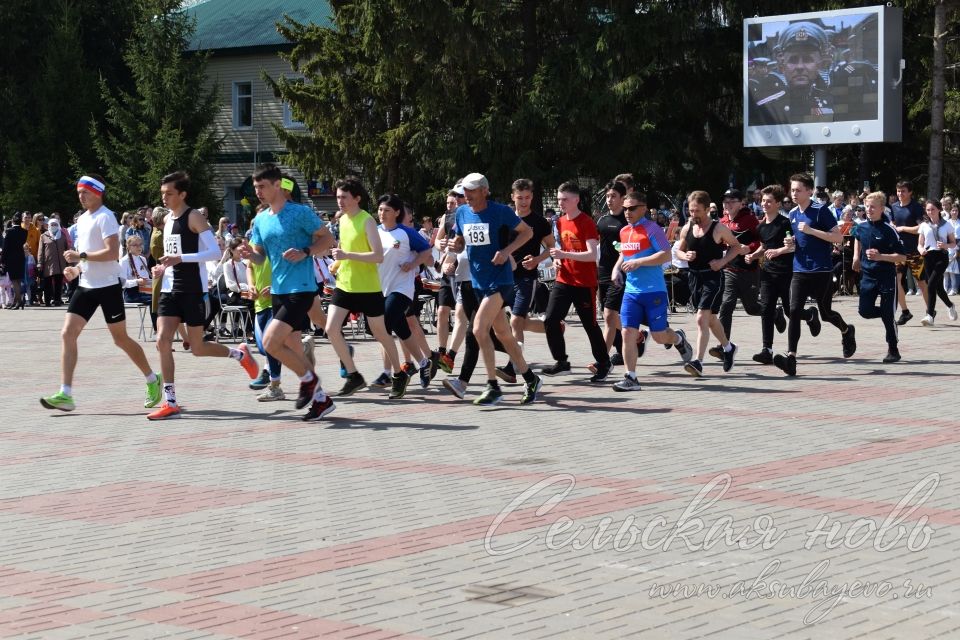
x,y
489,259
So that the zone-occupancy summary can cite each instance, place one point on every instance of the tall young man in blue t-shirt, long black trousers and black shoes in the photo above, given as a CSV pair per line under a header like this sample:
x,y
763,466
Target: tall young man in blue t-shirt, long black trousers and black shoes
x,y
815,231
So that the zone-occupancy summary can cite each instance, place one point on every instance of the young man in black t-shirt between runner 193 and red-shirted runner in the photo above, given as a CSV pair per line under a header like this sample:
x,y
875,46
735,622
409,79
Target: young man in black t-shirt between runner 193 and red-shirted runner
x,y
526,260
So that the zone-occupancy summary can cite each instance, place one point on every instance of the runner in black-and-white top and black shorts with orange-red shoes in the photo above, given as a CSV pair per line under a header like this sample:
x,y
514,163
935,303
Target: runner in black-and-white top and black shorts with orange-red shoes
x,y
188,242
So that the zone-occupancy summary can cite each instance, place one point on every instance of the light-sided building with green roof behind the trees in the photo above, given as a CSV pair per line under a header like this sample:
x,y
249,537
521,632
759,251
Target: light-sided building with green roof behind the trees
x,y
242,40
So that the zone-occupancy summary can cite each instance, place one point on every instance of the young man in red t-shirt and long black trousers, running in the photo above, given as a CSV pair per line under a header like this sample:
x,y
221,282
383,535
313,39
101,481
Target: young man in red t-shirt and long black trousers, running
x,y
576,284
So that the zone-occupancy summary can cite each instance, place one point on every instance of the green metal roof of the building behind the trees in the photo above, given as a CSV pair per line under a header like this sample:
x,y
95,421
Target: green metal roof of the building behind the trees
x,y
242,24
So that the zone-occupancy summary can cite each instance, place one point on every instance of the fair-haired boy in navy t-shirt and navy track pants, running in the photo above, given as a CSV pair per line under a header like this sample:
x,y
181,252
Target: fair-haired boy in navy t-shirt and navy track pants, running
x,y
876,249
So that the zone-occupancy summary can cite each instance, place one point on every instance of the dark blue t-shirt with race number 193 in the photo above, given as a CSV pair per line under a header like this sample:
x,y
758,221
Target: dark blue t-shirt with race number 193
x,y
486,233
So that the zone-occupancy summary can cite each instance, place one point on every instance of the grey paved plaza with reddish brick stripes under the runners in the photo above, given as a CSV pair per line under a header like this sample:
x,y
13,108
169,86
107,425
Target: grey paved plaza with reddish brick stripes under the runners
x,y
741,505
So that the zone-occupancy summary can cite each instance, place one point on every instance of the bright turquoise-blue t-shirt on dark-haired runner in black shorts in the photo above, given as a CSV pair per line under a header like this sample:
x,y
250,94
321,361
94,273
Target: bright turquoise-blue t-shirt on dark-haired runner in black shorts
x,y
291,228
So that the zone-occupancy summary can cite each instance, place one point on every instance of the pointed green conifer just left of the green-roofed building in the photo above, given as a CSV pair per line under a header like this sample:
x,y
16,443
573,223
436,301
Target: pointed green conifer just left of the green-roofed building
x,y
165,122
